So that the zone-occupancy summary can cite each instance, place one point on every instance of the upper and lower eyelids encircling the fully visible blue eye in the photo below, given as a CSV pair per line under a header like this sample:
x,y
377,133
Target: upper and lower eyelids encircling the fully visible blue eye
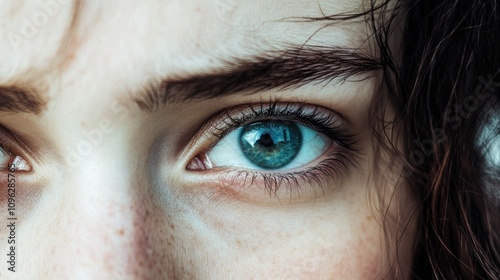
x,y
325,173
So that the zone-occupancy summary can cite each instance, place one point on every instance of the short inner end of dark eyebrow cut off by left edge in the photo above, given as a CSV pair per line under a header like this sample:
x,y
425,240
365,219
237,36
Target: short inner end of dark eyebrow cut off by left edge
x,y
21,99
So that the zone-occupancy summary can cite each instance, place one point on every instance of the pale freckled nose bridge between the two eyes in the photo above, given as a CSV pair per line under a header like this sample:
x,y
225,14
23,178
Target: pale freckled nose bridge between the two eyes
x,y
107,209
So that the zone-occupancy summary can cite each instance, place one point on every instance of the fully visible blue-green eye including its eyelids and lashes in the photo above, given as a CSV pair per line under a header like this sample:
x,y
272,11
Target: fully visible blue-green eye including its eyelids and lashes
x,y
272,145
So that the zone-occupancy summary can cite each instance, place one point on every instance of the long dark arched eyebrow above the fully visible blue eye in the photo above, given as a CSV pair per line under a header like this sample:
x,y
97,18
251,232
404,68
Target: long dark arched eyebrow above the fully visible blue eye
x,y
282,70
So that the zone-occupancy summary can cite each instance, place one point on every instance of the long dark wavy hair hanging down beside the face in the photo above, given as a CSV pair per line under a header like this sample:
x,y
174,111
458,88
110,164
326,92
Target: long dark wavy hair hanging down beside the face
x,y
444,90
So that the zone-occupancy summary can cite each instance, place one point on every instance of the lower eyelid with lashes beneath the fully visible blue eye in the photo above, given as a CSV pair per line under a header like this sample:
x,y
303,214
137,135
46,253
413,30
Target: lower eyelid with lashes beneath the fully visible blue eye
x,y
316,180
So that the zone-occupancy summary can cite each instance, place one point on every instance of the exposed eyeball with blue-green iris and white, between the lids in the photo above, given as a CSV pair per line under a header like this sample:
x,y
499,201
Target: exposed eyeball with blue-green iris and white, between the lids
x,y
270,145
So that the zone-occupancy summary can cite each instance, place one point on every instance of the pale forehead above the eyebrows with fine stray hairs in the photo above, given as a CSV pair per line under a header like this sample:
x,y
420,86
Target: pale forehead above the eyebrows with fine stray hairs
x,y
127,42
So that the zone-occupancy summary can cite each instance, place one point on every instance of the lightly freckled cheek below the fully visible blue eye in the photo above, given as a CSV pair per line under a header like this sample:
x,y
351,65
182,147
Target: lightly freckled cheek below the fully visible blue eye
x,y
321,242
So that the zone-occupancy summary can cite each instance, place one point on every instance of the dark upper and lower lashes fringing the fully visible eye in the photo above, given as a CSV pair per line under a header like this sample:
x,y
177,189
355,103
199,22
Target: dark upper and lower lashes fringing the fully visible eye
x,y
335,164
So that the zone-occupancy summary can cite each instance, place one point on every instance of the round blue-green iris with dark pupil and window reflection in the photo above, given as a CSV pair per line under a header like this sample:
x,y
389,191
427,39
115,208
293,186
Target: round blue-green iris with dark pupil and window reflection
x,y
271,144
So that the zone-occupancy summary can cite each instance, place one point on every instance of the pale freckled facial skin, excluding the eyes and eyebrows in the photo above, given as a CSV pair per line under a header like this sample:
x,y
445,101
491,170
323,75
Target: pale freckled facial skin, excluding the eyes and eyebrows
x,y
127,208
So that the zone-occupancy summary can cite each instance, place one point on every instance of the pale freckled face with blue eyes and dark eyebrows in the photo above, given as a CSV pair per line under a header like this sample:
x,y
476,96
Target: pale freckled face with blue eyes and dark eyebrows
x,y
109,186
